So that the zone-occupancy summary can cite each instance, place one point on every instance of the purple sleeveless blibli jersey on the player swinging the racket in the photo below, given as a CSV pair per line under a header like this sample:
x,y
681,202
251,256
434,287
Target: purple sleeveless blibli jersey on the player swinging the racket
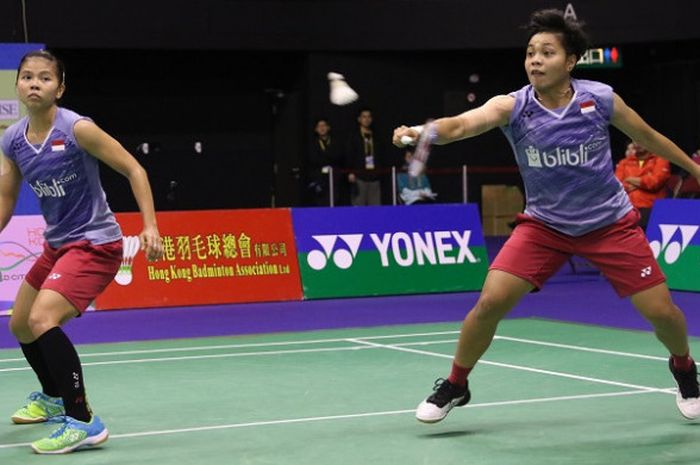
x,y
564,159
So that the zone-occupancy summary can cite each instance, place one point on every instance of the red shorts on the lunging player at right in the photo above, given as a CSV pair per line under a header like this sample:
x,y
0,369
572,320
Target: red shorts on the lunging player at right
x,y
620,251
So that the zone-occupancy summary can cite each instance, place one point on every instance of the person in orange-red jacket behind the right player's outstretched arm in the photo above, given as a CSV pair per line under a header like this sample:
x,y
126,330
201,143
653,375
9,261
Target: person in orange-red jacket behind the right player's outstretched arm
x,y
644,176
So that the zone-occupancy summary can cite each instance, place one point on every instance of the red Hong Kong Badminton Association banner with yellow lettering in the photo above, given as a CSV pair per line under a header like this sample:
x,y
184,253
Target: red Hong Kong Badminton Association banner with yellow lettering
x,y
211,257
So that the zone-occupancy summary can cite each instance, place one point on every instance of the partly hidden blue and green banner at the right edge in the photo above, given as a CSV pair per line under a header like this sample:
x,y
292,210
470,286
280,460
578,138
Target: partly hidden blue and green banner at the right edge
x,y
674,237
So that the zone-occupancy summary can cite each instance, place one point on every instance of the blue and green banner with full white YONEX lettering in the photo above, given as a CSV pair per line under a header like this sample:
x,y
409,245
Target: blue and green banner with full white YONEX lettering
x,y
362,251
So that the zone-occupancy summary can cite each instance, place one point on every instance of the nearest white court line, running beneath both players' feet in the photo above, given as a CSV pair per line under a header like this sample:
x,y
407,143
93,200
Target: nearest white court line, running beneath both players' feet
x,y
344,417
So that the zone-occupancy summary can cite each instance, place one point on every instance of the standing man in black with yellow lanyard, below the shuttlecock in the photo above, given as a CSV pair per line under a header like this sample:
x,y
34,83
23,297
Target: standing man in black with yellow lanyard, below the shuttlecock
x,y
361,158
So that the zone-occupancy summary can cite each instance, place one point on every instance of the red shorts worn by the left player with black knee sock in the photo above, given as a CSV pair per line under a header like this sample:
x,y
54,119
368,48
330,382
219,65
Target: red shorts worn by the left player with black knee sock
x,y
78,271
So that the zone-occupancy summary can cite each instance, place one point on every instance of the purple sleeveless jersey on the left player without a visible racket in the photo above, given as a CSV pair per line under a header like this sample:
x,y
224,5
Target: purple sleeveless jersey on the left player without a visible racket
x,y
67,181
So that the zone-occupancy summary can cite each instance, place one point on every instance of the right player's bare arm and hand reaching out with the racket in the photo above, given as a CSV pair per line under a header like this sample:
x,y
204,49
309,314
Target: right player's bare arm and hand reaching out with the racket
x,y
492,114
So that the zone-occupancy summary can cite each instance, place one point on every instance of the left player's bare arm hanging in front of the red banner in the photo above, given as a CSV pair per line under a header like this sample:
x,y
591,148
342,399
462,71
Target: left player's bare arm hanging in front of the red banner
x,y
108,150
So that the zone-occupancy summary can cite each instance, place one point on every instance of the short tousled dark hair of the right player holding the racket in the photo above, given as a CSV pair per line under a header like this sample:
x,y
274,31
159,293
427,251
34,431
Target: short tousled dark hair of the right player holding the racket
x,y
573,38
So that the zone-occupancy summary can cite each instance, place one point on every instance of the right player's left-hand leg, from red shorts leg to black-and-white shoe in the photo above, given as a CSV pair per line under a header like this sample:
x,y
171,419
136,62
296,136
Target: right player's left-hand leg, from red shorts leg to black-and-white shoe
x,y
530,256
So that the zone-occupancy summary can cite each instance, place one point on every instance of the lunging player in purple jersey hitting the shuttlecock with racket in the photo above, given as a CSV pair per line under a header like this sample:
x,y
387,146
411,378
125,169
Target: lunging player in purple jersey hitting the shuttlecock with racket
x,y
558,129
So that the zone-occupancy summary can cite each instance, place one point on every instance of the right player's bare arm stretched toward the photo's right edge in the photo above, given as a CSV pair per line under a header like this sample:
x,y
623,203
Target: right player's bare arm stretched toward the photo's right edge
x,y
628,121
